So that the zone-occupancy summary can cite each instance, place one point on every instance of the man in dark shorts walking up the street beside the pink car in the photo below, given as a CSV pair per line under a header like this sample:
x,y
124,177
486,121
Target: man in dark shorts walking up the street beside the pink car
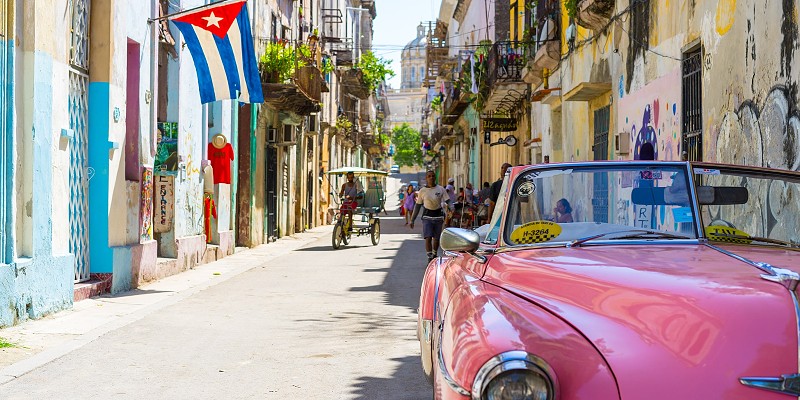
x,y
429,200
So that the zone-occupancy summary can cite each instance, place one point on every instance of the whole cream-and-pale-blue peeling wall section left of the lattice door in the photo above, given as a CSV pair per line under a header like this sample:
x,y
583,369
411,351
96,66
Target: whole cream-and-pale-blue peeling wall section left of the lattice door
x,y
38,283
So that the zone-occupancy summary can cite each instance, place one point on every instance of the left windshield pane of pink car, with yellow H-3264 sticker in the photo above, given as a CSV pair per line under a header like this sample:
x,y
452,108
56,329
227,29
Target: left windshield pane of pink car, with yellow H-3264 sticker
x,y
612,202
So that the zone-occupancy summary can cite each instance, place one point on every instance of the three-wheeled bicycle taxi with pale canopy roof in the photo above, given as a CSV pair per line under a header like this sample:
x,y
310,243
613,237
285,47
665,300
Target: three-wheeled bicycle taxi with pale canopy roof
x,y
358,214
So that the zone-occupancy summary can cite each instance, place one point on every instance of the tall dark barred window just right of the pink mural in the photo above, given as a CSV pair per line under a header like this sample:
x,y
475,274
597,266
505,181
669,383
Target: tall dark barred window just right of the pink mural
x,y
692,113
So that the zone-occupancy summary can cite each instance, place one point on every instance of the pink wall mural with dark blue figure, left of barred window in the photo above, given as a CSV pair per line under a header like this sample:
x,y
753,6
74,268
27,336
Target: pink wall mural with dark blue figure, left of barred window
x,y
651,115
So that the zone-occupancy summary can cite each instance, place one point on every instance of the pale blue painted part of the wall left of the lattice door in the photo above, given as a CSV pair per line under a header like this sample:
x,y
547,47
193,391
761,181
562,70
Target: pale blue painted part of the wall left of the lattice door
x,y
37,286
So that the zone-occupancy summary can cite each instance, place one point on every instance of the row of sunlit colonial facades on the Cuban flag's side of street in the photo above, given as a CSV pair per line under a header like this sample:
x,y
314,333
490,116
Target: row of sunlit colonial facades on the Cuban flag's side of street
x,y
110,166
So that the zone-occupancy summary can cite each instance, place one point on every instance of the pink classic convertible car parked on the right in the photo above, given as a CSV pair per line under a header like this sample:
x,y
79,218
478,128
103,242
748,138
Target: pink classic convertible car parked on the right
x,y
621,280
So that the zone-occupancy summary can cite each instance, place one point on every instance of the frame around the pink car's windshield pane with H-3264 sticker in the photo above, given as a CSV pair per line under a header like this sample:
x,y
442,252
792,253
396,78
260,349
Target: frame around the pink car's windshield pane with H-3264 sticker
x,y
594,167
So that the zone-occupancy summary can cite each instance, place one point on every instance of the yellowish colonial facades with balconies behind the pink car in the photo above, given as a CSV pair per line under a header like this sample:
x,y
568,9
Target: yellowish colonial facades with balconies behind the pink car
x,y
616,80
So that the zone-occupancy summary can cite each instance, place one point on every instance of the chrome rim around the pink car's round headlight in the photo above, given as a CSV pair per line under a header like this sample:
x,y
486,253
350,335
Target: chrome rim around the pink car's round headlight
x,y
509,361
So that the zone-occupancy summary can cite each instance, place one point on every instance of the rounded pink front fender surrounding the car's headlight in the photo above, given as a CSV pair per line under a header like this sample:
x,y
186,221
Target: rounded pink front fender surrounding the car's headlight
x,y
482,321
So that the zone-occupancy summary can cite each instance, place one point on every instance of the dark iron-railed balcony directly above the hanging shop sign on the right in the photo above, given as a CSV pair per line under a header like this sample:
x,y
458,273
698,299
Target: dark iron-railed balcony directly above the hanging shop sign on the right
x,y
507,61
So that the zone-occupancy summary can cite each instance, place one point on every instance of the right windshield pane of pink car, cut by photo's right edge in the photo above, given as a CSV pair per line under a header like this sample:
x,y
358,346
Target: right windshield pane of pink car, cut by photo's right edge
x,y
748,206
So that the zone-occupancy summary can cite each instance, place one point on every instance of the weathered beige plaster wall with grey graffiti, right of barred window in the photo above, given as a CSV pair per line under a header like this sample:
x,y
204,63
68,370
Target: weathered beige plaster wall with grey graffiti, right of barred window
x,y
750,106
